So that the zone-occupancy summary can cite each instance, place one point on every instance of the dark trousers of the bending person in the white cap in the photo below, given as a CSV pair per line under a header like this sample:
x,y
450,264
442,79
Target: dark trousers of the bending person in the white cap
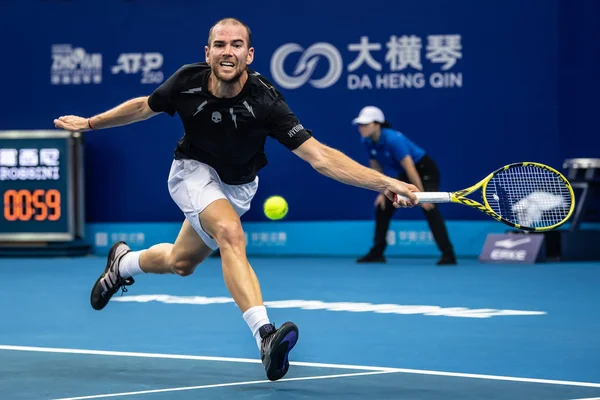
x,y
430,176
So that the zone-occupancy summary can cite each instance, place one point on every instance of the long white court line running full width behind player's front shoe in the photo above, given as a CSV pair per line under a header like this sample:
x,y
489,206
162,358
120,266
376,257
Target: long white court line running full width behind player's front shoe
x,y
303,364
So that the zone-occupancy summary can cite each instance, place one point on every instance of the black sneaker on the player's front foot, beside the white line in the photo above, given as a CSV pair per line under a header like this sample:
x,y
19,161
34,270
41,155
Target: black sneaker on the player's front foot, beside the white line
x,y
276,345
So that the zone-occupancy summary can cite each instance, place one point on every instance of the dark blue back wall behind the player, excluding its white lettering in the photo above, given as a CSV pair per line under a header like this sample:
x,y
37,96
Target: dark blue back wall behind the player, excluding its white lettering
x,y
528,90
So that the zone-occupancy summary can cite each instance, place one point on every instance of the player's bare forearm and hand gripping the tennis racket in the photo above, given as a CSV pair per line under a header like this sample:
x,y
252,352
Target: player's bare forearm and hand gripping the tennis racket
x,y
336,165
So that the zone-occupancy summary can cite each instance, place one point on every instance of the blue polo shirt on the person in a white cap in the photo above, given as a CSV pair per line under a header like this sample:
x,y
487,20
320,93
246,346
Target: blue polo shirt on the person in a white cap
x,y
392,147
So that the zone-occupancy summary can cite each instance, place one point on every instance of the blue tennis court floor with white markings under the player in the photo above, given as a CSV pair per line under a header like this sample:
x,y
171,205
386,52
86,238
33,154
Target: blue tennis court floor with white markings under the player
x,y
402,330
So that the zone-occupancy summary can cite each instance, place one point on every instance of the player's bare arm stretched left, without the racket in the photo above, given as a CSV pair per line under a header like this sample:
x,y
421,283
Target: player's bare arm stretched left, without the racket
x,y
131,111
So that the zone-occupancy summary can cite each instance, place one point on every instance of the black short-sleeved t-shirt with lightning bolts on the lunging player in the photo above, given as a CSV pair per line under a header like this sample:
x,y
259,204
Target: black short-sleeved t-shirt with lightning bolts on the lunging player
x,y
227,134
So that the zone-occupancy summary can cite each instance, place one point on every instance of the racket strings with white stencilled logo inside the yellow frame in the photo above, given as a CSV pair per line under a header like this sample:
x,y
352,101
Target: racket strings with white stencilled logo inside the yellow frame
x,y
530,196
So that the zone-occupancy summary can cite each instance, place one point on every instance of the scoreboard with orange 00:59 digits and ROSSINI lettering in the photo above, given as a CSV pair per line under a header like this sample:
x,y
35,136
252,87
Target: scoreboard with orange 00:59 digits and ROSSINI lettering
x,y
41,186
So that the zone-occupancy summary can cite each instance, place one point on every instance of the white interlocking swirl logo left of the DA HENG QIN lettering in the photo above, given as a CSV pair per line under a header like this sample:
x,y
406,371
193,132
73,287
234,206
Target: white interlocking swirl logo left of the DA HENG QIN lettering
x,y
306,65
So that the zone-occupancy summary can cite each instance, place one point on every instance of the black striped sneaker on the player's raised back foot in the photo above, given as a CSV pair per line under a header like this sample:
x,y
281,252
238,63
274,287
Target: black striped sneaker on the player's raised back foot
x,y
110,281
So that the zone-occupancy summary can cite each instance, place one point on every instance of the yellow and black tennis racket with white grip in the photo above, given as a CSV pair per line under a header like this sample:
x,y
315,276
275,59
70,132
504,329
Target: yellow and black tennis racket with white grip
x,y
529,196
